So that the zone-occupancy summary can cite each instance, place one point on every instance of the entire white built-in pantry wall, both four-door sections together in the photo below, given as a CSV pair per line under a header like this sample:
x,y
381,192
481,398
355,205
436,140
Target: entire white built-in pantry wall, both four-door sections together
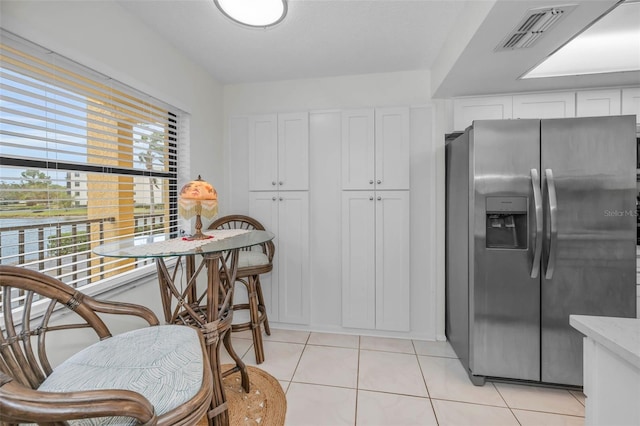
x,y
333,185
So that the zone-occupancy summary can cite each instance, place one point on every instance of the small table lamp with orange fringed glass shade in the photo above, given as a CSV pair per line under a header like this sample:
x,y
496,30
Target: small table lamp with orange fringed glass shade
x,y
198,197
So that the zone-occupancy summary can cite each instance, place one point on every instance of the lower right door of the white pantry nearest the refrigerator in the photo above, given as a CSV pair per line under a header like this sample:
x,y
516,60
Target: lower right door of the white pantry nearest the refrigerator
x,y
392,261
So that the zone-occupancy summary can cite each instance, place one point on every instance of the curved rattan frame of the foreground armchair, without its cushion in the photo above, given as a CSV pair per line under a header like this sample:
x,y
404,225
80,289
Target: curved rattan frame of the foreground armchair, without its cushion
x,y
30,315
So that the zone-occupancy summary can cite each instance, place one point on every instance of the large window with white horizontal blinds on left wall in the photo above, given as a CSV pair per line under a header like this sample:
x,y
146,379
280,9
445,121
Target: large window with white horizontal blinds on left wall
x,y
84,160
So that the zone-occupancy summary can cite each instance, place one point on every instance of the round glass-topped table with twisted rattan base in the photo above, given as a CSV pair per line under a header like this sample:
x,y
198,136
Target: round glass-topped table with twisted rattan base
x,y
188,300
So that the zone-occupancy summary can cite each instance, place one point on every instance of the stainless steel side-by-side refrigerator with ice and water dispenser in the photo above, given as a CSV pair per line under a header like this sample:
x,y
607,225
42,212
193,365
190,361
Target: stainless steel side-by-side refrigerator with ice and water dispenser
x,y
540,224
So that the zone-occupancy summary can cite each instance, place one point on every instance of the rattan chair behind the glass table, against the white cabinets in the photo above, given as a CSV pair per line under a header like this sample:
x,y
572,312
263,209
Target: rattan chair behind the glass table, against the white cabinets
x,y
252,262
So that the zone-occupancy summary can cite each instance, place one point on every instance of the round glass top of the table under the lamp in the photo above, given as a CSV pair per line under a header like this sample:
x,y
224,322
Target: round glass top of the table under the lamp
x,y
162,245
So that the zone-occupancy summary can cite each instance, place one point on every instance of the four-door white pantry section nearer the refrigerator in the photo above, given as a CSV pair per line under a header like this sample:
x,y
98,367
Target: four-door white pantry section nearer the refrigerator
x,y
375,219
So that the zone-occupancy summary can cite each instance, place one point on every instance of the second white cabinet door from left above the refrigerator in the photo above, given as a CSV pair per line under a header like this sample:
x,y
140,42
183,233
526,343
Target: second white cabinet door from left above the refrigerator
x,y
545,105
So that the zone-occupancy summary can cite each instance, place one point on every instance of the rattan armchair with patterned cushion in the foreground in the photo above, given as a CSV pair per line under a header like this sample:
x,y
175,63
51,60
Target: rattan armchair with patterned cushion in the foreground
x,y
152,375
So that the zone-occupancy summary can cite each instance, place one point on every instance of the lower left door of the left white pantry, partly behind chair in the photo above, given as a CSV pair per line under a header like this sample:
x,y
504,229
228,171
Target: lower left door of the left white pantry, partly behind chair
x,y
263,206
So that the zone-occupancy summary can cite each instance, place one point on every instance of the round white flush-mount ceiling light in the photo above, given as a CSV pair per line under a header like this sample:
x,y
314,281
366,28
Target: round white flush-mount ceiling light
x,y
254,13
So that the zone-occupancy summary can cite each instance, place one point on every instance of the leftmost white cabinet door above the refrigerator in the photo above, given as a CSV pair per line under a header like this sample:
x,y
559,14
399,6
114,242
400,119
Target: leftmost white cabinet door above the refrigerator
x,y
490,108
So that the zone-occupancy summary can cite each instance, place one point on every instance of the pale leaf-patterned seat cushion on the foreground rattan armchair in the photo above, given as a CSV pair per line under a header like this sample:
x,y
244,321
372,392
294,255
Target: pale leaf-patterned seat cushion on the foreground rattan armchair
x,y
163,363
